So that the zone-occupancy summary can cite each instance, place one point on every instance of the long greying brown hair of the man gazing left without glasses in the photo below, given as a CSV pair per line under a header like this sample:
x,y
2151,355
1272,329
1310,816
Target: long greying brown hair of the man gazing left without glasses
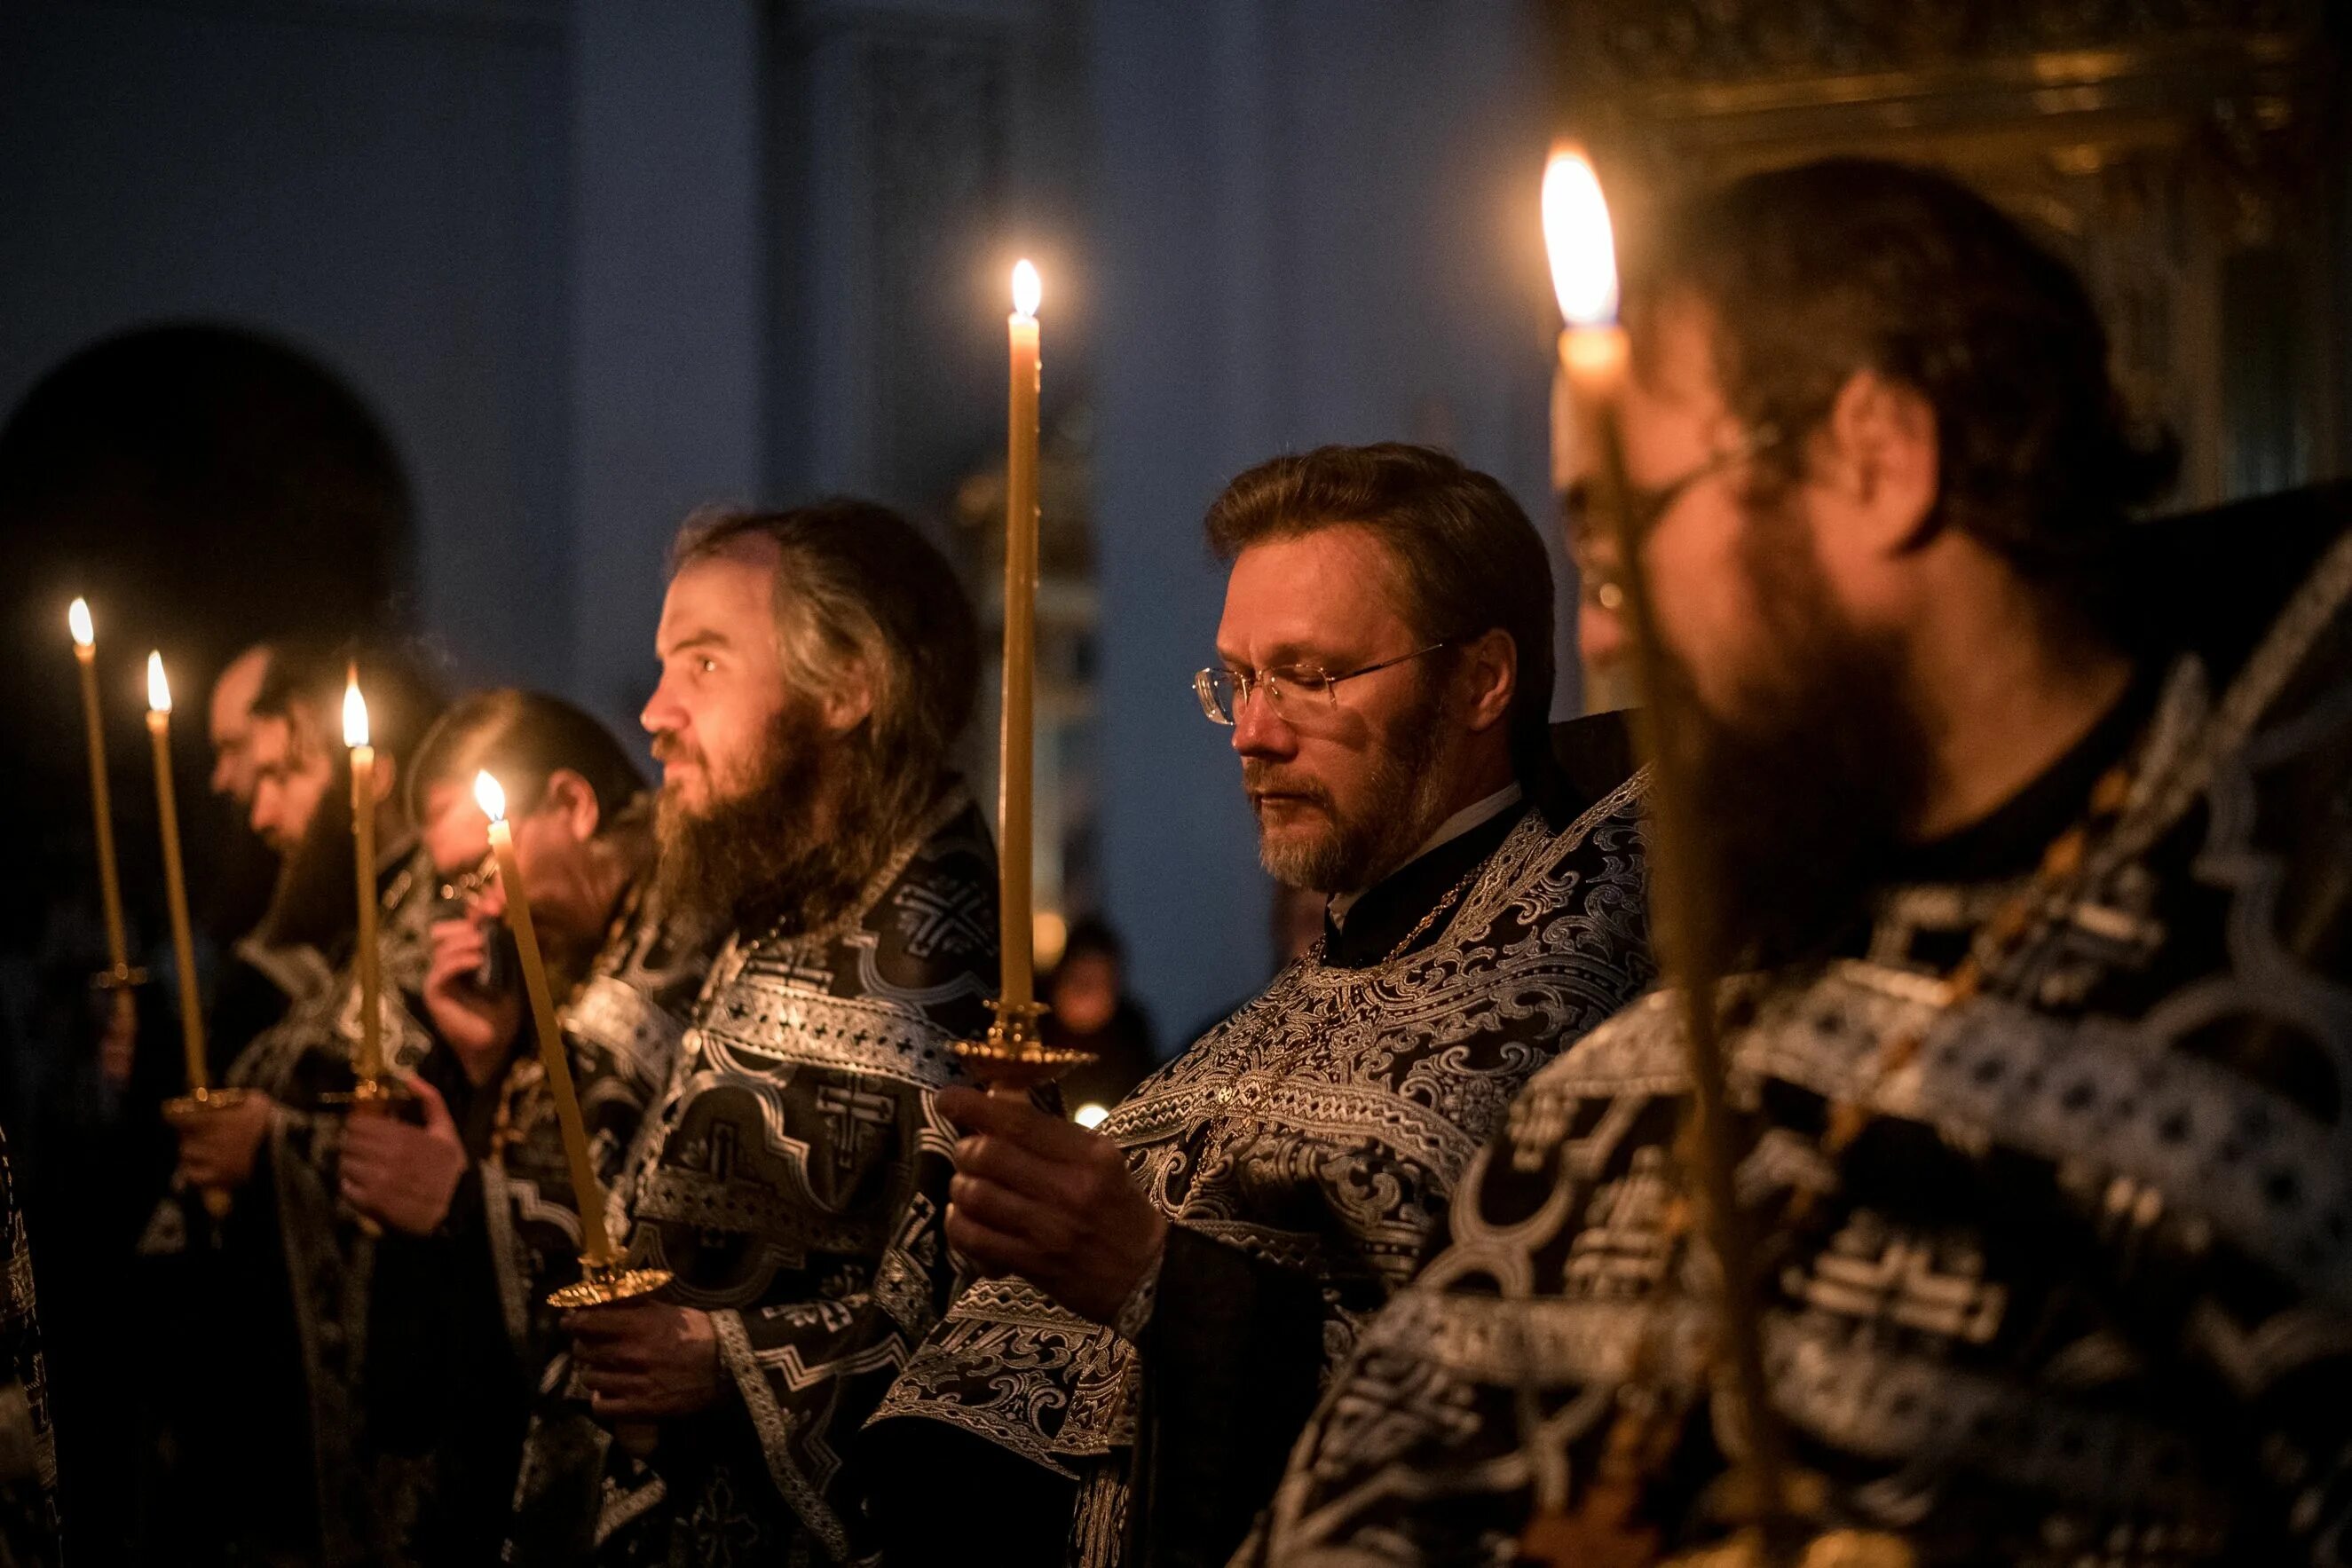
x,y
857,584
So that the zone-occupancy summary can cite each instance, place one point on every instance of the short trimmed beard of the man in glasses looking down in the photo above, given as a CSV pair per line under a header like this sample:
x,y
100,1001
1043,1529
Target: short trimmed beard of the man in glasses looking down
x,y
1361,847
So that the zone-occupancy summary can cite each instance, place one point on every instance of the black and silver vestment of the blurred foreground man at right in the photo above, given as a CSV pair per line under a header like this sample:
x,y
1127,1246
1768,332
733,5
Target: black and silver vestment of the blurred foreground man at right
x,y
2057,1266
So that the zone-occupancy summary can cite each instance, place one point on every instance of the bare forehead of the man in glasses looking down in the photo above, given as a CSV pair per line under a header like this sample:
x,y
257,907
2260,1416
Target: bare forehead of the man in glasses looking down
x,y
1323,596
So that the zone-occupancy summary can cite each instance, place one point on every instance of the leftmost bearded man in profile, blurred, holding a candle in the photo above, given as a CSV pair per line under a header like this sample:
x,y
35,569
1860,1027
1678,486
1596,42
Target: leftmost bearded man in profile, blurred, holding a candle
x,y
272,1405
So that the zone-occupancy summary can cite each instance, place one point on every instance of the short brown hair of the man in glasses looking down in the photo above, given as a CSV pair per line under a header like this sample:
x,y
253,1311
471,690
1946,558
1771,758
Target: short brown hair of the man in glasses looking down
x,y
1469,556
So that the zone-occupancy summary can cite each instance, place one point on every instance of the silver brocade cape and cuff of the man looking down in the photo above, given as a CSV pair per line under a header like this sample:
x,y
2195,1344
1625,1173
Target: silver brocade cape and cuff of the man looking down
x,y
1318,1130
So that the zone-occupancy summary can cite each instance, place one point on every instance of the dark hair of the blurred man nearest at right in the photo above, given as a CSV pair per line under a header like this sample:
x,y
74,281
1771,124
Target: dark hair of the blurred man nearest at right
x,y
1850,264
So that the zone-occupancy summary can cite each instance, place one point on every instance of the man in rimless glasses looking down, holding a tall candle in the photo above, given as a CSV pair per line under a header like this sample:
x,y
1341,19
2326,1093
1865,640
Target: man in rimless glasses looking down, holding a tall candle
x,y
1161,1301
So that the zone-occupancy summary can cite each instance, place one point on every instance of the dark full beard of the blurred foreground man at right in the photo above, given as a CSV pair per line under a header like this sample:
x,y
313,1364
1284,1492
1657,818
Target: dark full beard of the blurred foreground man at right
x,y
1810,784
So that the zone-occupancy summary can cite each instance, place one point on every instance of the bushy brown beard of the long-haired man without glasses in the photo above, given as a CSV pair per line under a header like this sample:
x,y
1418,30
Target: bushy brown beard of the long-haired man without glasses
x,y
759,862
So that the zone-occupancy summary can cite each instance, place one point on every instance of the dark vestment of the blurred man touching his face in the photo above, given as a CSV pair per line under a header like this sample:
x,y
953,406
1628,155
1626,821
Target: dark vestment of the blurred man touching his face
x,y
462,1334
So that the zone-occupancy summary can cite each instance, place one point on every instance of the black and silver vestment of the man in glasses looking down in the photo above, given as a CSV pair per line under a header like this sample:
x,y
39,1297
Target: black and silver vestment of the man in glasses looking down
x,y
1304,1153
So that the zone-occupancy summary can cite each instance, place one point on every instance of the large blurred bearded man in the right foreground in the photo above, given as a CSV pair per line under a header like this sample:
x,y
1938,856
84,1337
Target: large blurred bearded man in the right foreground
x,y
2031,845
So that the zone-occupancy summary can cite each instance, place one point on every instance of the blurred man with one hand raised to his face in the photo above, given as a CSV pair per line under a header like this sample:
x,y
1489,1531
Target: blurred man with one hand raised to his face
x,y
474,1193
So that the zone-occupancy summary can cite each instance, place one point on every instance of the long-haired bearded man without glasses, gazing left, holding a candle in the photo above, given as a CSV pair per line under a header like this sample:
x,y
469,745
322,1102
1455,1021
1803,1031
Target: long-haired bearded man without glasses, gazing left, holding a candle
x,y
794,1177
